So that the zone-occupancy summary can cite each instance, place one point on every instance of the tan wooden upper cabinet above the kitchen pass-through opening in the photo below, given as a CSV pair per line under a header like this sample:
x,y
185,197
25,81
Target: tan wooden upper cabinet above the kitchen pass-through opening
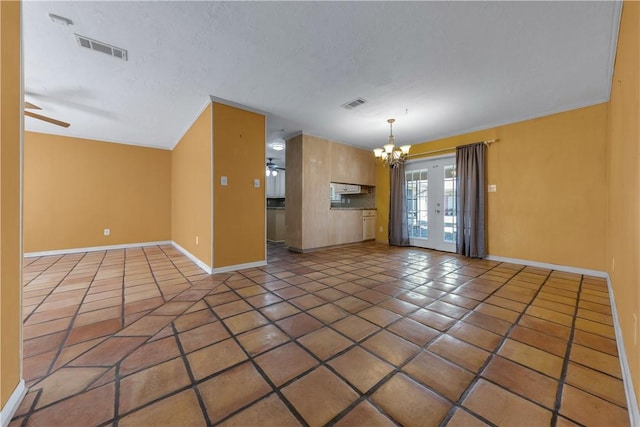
x,y
353,165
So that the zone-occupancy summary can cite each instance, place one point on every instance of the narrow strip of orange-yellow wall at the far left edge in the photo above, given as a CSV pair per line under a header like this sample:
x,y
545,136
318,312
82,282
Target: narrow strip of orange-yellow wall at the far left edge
x,y
10,232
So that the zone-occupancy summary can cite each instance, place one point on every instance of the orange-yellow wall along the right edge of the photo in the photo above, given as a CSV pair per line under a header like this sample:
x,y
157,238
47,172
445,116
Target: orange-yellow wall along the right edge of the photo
x,y
623,229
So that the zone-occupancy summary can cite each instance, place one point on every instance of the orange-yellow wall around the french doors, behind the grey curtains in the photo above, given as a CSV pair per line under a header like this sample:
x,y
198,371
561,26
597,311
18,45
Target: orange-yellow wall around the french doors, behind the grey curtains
x,y
550,204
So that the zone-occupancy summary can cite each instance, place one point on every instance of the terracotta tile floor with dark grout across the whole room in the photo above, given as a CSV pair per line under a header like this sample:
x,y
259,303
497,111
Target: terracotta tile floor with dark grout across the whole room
x,y
364,335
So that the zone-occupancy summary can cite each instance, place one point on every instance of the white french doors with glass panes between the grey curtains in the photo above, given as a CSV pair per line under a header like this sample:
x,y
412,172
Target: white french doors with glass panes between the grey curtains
x,y
431,203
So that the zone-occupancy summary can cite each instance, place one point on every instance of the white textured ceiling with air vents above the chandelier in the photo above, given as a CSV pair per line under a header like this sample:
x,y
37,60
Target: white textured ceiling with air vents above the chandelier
x,y
439,68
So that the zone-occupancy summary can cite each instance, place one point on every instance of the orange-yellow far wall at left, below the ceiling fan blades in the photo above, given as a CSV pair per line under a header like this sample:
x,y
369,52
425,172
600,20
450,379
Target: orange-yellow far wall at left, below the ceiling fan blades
x,y
75,188
